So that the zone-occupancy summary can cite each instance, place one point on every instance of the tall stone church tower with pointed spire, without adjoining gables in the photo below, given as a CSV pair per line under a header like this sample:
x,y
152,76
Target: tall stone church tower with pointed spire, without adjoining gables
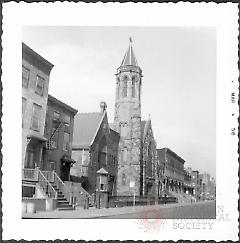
x,y
127,122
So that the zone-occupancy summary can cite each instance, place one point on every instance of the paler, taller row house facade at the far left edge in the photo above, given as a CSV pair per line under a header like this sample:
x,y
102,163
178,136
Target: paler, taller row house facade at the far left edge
x,y
35,81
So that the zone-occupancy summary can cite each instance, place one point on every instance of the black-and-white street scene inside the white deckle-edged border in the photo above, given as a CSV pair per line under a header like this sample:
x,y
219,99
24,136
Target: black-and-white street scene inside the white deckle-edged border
x,y
130,128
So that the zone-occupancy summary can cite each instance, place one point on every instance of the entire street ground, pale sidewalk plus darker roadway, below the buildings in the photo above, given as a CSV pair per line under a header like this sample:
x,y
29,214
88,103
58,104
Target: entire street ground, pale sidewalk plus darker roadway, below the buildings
x,y
196,210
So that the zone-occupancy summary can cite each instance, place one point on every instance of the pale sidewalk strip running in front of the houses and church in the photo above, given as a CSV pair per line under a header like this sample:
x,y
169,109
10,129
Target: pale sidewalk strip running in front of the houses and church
x,y
96,213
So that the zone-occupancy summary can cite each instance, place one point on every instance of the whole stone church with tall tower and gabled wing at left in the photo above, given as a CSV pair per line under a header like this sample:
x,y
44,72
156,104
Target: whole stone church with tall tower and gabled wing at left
x,y
126,148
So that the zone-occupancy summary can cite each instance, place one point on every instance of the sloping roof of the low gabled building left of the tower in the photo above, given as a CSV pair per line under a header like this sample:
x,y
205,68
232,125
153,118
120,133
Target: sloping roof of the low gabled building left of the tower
x,y
86,126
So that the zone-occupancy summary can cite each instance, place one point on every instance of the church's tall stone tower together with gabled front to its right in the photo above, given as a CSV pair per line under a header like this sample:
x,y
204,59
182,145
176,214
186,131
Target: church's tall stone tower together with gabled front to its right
x,y
137,147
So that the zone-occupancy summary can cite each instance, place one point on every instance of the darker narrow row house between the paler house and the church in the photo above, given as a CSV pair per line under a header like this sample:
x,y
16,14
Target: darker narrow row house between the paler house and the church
x,y
59,132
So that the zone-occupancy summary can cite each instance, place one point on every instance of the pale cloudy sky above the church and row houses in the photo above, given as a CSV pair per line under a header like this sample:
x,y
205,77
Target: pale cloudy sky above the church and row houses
x,y
178,85
